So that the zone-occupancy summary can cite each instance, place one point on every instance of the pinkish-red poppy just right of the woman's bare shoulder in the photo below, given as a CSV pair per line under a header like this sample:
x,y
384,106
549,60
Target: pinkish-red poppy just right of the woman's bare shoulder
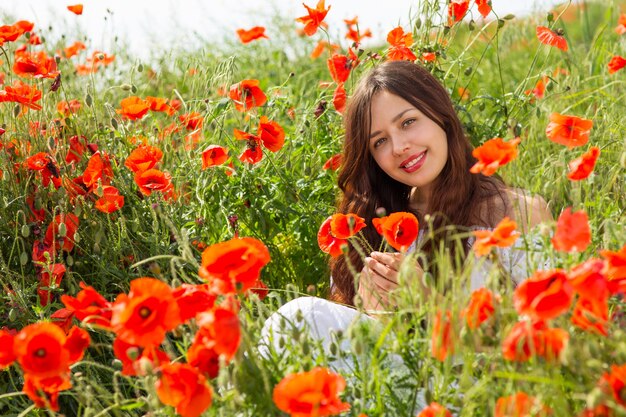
x,y
572,232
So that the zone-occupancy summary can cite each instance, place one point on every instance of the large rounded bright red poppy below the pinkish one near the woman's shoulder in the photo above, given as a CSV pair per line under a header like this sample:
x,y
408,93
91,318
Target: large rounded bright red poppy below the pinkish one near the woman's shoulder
x,y
545,295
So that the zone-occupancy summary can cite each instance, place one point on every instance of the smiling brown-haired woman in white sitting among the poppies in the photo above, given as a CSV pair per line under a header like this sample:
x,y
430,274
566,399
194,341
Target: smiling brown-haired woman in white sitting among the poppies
x,y
405,151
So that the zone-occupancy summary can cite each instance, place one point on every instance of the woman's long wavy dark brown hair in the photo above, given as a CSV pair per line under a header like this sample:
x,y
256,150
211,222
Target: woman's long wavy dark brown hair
x,y
458,198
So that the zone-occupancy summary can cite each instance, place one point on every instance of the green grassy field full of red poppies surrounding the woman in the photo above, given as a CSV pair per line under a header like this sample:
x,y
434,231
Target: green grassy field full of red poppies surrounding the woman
x,y
154,214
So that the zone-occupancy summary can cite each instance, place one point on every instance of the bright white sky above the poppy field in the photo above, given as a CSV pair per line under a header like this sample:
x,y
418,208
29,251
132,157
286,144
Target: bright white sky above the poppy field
x,y
171,23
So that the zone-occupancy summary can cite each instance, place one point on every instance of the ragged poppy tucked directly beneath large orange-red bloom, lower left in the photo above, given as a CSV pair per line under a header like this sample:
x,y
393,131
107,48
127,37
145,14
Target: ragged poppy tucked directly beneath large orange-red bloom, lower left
x,y
134,358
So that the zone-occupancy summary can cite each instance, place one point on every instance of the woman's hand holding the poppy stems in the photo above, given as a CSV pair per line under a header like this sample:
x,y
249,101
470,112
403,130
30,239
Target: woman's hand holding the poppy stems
x,y
378,278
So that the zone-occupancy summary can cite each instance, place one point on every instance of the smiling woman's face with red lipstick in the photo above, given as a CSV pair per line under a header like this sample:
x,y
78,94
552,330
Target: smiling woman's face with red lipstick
x,y
407,145
